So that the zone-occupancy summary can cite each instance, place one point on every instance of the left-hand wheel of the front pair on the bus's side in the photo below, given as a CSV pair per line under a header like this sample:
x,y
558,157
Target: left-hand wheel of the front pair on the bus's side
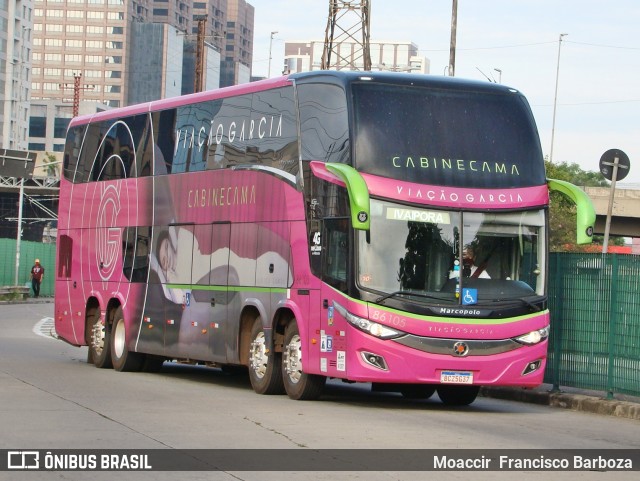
x,y
265,368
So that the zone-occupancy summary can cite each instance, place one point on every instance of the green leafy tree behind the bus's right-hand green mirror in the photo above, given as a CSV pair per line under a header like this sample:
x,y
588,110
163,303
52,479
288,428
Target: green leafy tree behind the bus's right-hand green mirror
x,y
562,212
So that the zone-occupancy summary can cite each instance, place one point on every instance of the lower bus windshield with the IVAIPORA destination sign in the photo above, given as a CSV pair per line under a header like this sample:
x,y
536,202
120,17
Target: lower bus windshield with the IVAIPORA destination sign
x,y
431,254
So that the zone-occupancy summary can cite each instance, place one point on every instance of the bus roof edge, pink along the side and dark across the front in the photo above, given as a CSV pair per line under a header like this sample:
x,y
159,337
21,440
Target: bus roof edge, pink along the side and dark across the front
x,y
330,76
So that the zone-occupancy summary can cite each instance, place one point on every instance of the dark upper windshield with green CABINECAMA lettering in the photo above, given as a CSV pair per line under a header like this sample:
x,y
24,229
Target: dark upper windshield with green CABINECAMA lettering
x,y
451,137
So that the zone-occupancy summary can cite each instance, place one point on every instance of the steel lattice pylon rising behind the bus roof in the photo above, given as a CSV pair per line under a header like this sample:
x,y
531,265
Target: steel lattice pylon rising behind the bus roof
x,y
348,24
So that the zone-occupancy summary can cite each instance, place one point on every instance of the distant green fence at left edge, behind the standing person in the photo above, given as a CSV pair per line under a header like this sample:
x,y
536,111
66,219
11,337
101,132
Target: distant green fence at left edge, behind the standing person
x,y
29,251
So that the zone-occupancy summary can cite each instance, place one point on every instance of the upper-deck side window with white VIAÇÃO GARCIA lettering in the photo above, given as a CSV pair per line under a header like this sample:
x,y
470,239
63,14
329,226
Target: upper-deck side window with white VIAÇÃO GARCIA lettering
x,y
257,128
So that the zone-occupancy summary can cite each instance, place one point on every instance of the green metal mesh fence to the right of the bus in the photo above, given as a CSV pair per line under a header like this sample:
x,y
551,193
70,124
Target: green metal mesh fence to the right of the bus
x,y
595,317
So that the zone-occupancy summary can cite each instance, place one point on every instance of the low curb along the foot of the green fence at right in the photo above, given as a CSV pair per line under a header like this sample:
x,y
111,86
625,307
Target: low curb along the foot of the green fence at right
x,y
575,402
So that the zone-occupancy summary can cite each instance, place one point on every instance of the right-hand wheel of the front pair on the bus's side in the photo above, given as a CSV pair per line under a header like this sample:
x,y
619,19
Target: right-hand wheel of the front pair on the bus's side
x,y
298,384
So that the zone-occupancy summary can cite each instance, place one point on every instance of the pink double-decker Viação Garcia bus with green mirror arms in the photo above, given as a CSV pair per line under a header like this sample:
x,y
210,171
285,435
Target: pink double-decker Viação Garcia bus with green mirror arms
x,y
380,228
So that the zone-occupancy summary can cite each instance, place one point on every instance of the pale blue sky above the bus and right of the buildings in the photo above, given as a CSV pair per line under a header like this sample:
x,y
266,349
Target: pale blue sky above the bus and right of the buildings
x,y
598,100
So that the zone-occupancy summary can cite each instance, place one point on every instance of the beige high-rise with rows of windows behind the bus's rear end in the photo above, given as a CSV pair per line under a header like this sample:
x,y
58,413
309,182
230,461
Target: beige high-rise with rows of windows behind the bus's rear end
x,y
89,38
